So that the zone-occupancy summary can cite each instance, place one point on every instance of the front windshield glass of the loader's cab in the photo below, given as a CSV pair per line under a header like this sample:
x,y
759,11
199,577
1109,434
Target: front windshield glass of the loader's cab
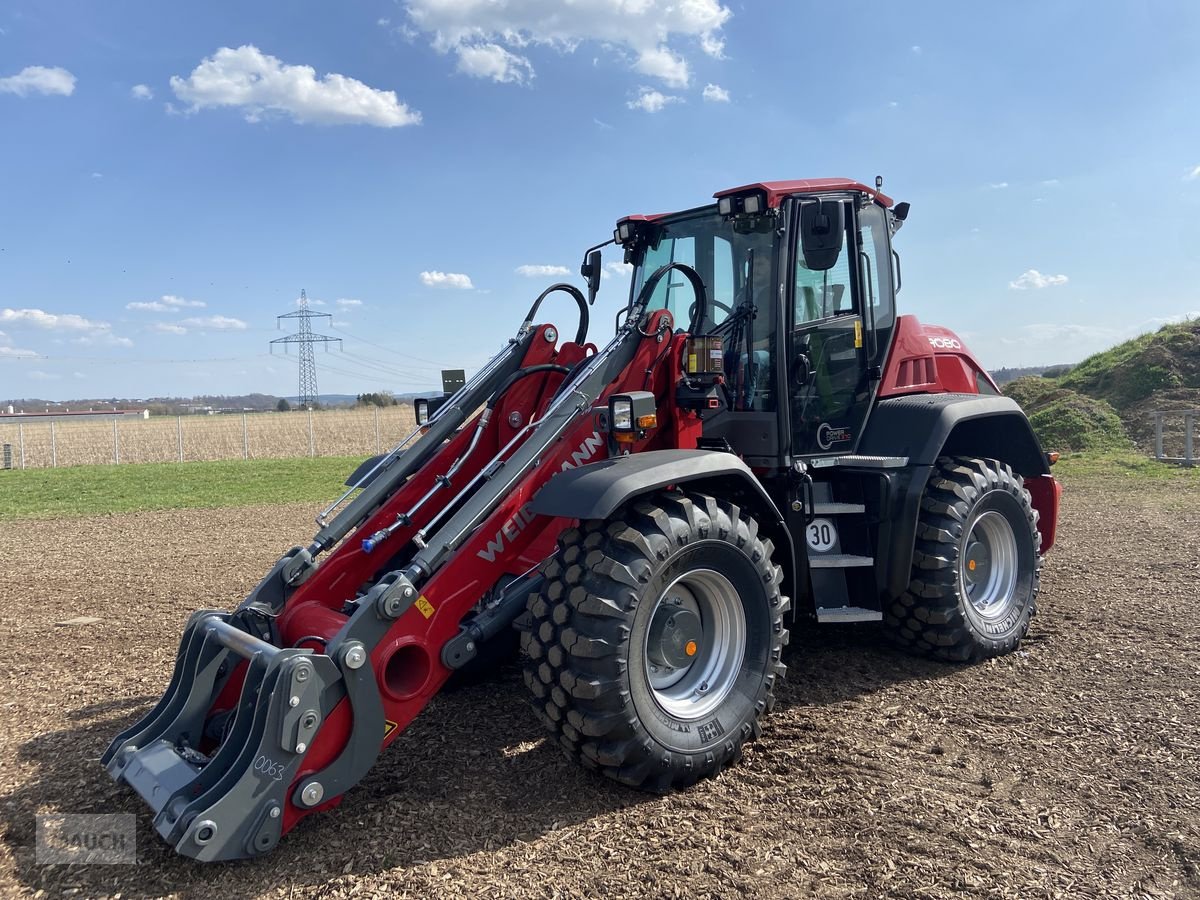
x,y
734,259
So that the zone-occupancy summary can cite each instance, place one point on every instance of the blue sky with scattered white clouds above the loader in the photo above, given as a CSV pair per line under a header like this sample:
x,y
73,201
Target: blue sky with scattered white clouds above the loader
x,y
172,176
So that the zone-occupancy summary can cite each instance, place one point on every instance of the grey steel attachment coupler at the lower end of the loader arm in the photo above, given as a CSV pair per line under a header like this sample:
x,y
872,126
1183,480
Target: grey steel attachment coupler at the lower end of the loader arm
x,y
219,782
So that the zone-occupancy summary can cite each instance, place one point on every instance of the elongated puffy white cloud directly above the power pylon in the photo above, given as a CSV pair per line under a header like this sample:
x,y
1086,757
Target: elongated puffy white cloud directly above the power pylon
x,y
261,86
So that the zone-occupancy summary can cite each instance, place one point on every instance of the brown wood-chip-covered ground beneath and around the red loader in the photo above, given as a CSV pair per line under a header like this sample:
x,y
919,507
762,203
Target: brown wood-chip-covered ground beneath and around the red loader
x,y
1070,770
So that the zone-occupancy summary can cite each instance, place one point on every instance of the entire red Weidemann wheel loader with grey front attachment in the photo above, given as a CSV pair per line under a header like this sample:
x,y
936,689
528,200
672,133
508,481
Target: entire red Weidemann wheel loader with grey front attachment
x,y
764,441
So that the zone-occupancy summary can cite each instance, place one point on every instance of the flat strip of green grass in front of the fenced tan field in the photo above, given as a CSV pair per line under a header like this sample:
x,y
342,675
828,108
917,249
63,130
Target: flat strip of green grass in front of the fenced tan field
x,y
97,490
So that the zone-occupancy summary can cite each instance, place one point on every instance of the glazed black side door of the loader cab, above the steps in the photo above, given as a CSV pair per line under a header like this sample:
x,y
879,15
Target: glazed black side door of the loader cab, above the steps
x,y
841,326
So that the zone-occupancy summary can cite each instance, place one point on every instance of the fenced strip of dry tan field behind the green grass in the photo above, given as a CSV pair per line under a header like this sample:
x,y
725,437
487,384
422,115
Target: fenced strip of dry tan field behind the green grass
x,y
34,445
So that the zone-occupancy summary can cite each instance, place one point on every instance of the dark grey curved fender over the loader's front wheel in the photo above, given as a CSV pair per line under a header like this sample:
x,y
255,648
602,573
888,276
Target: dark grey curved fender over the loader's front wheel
x,y
599,489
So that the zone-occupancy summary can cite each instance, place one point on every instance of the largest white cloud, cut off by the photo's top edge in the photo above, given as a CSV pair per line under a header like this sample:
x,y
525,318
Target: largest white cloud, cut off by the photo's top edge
x,y
643,31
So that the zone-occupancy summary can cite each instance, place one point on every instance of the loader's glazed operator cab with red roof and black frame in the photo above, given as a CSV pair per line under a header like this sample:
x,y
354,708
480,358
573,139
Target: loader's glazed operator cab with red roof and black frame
x,y
801,281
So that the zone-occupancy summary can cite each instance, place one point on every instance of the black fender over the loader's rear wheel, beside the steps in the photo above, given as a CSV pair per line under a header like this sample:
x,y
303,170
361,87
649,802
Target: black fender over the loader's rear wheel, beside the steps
x,y
923,428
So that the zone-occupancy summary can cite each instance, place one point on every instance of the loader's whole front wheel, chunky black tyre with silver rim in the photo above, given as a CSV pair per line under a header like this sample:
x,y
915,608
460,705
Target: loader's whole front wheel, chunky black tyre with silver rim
x,y
656,641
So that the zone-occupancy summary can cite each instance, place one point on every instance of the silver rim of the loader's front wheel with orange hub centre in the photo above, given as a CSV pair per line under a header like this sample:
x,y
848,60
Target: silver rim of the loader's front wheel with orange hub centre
x,y
695,644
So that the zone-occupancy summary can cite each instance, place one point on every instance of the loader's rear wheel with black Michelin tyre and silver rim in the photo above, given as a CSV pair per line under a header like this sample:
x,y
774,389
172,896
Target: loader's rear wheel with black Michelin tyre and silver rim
x,y
976,566
